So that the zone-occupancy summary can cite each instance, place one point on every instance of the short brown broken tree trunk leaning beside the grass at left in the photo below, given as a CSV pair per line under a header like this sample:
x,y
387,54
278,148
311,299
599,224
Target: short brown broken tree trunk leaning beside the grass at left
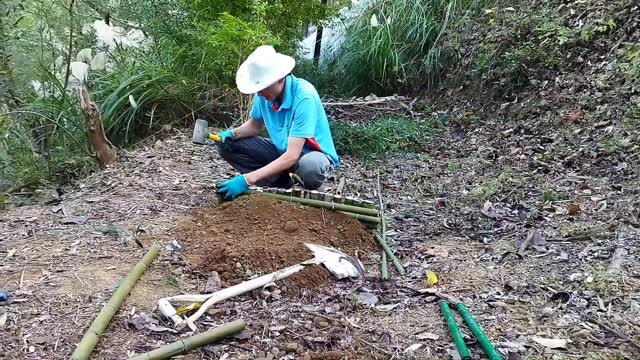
x,y
105,151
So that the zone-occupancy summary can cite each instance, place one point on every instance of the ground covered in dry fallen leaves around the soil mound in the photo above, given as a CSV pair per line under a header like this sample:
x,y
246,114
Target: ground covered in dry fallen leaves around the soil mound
x,y
535,248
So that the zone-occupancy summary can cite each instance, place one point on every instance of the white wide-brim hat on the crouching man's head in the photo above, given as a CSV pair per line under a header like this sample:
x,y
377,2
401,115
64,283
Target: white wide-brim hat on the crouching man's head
x,y
262,69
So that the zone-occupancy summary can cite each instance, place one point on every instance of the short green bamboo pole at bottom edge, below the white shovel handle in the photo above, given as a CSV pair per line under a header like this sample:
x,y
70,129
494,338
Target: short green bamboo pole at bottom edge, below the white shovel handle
x,y
193,342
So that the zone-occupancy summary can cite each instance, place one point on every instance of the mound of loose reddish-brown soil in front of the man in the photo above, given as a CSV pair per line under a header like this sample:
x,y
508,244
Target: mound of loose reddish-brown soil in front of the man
x,y
256,234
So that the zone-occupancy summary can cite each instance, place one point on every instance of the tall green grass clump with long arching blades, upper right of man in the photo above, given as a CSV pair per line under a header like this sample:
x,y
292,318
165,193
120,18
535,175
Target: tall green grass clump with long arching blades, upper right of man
x,y
394,46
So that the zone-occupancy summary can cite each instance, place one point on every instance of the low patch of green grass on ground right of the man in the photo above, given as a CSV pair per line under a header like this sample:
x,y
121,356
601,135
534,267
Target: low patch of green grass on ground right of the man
x,y
381,137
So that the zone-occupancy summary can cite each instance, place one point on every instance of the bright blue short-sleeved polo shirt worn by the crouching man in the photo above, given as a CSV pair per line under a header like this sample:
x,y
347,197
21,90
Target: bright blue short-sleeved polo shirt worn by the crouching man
x,y
300,115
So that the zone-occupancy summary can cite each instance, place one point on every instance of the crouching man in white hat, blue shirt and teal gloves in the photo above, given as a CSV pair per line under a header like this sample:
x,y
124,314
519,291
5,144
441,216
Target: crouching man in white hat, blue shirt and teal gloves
x,y
291,110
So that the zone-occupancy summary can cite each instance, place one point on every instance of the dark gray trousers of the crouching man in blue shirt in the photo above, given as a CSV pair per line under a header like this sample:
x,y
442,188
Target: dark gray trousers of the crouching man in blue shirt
x,y
249,154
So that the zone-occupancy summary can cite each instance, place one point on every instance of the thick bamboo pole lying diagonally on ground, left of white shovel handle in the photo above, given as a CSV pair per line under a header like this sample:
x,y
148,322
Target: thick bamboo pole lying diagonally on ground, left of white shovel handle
x,y
100,323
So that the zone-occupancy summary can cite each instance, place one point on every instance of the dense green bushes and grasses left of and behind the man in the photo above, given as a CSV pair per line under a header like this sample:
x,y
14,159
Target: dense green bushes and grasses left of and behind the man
x,y
194,48
